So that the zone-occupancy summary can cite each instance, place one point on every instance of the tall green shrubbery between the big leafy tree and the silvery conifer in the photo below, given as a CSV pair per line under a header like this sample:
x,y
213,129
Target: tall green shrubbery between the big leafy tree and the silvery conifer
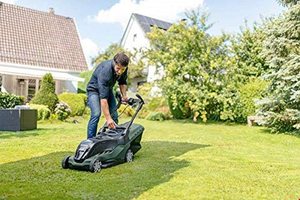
x,y
250,64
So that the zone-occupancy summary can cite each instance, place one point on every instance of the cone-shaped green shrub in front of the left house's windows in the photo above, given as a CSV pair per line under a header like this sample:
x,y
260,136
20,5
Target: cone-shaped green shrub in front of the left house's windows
x,y
46,94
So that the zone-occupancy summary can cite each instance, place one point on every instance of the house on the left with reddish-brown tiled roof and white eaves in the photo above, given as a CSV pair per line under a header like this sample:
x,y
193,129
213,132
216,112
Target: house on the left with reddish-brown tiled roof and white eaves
x,y
33,43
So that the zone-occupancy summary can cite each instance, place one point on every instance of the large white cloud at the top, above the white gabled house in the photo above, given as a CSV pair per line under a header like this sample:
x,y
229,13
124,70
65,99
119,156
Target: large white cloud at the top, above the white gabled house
x,y
161,9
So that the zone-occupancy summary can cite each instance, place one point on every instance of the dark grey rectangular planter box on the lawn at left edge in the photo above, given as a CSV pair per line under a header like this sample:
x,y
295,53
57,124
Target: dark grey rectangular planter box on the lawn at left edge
x,y
18,119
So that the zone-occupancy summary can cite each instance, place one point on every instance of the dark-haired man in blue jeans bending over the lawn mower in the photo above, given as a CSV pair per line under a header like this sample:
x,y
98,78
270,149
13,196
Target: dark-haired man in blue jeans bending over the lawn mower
x,y
100,91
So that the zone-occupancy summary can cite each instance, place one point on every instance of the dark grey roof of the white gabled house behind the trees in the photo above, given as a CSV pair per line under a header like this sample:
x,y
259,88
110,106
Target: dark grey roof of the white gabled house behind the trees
x,y
147,22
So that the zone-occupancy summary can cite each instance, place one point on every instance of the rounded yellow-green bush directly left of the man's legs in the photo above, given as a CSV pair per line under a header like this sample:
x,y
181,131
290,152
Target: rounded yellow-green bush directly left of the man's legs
x,y
76,102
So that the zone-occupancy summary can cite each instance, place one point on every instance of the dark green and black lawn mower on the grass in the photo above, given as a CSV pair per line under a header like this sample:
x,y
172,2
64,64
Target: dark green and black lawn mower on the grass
x,y
110,146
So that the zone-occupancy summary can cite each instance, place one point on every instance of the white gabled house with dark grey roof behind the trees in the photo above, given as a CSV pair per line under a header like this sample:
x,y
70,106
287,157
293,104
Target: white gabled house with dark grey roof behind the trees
x,y
134,37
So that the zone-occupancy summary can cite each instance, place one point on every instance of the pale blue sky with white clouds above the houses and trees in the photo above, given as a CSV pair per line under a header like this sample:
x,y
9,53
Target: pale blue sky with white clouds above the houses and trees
x,y
102,22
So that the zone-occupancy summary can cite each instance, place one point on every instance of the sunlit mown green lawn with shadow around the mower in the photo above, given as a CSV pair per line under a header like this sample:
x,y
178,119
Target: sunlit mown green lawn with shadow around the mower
x,y
178,160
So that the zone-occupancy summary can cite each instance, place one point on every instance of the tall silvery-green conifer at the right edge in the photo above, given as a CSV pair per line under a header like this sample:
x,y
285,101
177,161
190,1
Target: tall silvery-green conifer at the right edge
x,y
282,51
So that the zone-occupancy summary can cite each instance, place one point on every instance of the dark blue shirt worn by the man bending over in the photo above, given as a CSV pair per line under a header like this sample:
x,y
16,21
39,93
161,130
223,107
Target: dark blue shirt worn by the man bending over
x,y
104,78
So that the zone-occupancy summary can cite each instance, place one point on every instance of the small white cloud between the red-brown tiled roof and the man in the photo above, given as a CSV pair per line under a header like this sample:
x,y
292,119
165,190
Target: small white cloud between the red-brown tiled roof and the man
x,y
90,49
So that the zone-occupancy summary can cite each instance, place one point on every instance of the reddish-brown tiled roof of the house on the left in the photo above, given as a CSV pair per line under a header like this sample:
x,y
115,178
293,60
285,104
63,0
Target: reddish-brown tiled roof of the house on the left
x,y
37,38
